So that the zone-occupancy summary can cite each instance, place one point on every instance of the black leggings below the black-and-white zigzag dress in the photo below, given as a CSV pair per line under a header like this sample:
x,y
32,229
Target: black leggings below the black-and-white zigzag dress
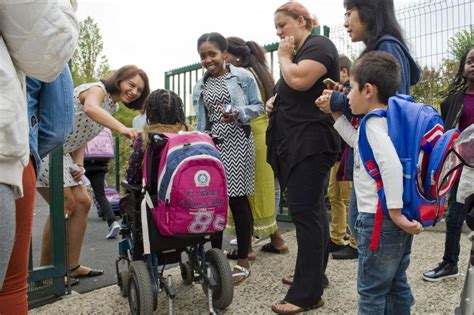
x,y
243,222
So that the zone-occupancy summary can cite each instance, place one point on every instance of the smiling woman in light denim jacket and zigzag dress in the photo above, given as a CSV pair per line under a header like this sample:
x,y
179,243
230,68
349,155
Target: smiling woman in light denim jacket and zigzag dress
x,y
225,100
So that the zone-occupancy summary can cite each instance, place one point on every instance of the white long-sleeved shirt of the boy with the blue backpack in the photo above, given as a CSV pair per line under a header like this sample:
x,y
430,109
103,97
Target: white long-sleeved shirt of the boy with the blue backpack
x,y
387,160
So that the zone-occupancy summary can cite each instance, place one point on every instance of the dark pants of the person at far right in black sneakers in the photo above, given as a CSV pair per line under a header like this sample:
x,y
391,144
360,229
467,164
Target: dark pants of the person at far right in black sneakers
x,y
454,222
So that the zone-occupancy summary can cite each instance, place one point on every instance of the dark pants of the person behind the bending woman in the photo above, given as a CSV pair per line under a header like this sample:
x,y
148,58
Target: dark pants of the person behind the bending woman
x,y
95,172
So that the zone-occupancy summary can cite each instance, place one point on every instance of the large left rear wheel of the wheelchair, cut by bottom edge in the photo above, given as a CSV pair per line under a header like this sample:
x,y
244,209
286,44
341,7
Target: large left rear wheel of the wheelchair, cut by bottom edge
x,y
140,289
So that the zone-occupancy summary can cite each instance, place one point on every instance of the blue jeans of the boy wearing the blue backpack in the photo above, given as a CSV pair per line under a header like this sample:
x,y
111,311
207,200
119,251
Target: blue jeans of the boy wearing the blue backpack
x,y
381,278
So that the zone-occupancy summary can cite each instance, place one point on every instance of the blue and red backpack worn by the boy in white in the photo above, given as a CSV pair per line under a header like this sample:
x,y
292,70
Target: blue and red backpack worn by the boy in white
x,y
422,145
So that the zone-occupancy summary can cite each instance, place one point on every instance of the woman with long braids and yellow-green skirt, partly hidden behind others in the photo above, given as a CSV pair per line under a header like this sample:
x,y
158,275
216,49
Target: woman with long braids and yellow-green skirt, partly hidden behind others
x,y
265,199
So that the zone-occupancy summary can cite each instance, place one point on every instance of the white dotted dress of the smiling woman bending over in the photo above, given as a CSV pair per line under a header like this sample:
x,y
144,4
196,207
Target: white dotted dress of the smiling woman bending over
x,y
85,129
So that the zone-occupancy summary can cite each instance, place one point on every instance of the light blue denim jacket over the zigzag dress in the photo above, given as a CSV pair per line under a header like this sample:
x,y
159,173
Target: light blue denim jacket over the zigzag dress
x,y
244,95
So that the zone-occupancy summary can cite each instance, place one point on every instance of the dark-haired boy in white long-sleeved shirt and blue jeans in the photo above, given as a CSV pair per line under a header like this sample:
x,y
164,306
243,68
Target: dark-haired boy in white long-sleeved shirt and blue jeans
x,y
381,281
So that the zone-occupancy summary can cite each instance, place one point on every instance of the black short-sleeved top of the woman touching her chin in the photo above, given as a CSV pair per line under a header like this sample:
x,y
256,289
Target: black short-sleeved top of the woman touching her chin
x,y
297,128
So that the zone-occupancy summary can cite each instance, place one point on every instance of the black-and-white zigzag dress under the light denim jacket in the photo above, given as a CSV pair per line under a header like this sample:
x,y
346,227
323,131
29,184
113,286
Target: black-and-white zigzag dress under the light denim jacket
x,y
237,150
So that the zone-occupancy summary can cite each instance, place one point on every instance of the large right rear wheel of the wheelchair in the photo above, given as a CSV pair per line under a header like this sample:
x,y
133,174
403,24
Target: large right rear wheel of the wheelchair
x,y
223,293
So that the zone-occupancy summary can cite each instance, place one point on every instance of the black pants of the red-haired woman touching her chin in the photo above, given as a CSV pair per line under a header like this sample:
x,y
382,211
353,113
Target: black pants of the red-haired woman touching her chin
x,y
306,204
